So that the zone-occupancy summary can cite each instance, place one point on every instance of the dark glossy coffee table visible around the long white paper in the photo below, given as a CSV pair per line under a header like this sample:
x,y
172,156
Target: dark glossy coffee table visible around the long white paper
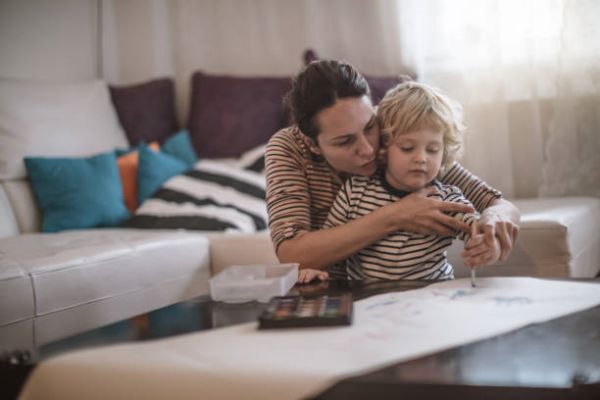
x,y
554,360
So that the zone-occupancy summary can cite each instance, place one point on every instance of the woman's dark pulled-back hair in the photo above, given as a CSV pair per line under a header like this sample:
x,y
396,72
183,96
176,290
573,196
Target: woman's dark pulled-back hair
x,y
318,86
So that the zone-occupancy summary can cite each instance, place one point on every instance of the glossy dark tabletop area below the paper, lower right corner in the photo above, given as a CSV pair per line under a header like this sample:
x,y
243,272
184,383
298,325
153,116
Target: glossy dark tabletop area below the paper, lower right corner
x,y
559,359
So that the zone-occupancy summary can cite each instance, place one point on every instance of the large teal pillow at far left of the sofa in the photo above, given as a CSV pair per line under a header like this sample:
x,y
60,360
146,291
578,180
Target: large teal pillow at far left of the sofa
x,y
77,193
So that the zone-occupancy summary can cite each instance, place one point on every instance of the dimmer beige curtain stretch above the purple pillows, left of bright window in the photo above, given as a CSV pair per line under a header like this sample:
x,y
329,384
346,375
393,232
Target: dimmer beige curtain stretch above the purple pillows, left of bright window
x,y
145,39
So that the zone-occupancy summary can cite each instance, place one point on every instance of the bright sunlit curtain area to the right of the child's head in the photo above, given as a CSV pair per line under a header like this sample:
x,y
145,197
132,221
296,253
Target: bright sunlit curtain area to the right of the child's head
x,y
526,73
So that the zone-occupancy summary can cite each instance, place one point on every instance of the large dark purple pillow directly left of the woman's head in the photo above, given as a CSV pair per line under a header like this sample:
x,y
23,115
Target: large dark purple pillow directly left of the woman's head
x,y
230,115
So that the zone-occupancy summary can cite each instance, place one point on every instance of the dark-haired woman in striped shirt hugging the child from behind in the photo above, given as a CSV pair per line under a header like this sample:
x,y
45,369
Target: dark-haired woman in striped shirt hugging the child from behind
x,y
336,136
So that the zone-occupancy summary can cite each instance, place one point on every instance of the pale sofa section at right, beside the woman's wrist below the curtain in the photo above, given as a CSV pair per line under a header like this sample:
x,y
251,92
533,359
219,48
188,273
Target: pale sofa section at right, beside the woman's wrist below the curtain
x,y
559,238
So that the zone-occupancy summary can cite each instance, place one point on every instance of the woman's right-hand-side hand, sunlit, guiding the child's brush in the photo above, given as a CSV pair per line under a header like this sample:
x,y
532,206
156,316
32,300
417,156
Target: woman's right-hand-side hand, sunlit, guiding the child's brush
x,y
501,222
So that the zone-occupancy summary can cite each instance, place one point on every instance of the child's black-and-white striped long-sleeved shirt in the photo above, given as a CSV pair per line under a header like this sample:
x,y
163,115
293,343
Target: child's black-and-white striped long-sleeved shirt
x,y
401,254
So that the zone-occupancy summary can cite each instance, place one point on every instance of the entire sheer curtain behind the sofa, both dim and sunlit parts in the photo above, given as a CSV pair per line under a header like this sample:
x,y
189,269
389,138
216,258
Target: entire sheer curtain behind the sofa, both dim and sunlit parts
x,y
526,72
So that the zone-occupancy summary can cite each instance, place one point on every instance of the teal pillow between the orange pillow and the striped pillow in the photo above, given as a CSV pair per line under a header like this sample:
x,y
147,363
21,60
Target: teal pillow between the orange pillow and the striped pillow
x,y
154,168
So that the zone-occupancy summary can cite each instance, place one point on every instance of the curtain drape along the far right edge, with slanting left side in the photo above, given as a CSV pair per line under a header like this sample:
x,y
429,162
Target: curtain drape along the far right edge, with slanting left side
x,y
573,150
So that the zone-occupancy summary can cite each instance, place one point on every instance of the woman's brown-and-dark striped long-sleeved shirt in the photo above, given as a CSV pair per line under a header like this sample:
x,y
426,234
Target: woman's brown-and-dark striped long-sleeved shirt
x,y
301,186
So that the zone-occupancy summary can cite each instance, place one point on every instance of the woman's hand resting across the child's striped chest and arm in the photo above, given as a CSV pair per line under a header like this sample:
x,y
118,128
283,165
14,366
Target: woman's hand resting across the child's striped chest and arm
x,y
420,214
